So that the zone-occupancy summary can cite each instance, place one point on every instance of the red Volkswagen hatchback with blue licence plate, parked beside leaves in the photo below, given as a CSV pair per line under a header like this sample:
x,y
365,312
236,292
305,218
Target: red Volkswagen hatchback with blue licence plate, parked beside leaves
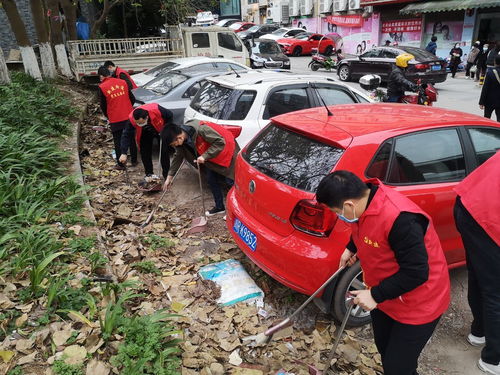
x,y
420,151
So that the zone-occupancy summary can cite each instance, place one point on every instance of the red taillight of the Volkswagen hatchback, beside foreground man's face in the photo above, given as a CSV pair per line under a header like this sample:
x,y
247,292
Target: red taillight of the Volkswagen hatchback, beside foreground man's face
x,y
313,218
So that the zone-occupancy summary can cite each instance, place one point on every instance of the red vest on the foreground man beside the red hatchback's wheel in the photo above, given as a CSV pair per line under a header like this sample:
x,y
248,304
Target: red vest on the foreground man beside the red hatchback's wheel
x,y
426,302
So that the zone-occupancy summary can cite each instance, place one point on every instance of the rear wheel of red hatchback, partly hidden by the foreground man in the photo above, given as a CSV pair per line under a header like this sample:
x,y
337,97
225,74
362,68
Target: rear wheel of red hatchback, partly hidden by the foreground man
x,y
351,279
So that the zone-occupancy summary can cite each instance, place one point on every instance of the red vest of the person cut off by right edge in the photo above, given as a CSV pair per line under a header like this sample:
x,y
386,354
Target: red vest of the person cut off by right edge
x,y
483,183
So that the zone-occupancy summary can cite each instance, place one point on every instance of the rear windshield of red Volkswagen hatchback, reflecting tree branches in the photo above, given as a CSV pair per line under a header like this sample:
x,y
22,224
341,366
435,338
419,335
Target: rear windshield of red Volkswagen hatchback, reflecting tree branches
x,y
291,158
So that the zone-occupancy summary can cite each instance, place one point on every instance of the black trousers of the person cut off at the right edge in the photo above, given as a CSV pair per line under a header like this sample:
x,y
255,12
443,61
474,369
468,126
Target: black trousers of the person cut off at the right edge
x,y
483,265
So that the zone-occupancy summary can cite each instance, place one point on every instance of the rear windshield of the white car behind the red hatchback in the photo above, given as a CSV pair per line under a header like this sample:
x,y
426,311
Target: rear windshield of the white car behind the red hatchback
x,y
223,103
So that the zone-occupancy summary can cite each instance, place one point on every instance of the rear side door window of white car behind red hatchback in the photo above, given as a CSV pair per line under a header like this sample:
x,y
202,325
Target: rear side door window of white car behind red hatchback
x,y
286,100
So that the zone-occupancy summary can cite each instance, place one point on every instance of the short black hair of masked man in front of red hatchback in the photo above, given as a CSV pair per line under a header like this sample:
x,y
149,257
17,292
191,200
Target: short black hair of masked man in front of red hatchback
x,y
339,186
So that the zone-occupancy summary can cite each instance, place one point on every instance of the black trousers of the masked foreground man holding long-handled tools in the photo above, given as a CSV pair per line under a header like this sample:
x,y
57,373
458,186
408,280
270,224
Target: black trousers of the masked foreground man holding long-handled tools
x,y
400,344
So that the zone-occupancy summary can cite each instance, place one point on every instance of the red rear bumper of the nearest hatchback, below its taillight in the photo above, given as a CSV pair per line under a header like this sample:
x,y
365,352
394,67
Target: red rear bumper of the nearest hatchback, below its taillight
x,y
299,261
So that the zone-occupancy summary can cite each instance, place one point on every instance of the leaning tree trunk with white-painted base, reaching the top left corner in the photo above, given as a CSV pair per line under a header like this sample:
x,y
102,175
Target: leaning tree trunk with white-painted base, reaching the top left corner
x,y
28,55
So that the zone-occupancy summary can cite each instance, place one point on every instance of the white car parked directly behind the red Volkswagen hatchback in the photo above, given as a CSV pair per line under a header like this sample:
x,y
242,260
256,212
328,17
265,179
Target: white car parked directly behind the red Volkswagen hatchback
x,y
249,99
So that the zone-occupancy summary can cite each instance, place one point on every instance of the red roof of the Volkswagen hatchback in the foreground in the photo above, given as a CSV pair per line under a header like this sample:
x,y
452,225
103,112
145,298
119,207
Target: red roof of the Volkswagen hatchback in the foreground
x,y
357,120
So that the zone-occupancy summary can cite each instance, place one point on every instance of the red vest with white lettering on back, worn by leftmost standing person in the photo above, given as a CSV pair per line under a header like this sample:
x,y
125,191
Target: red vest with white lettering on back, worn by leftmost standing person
x,y
117,99
